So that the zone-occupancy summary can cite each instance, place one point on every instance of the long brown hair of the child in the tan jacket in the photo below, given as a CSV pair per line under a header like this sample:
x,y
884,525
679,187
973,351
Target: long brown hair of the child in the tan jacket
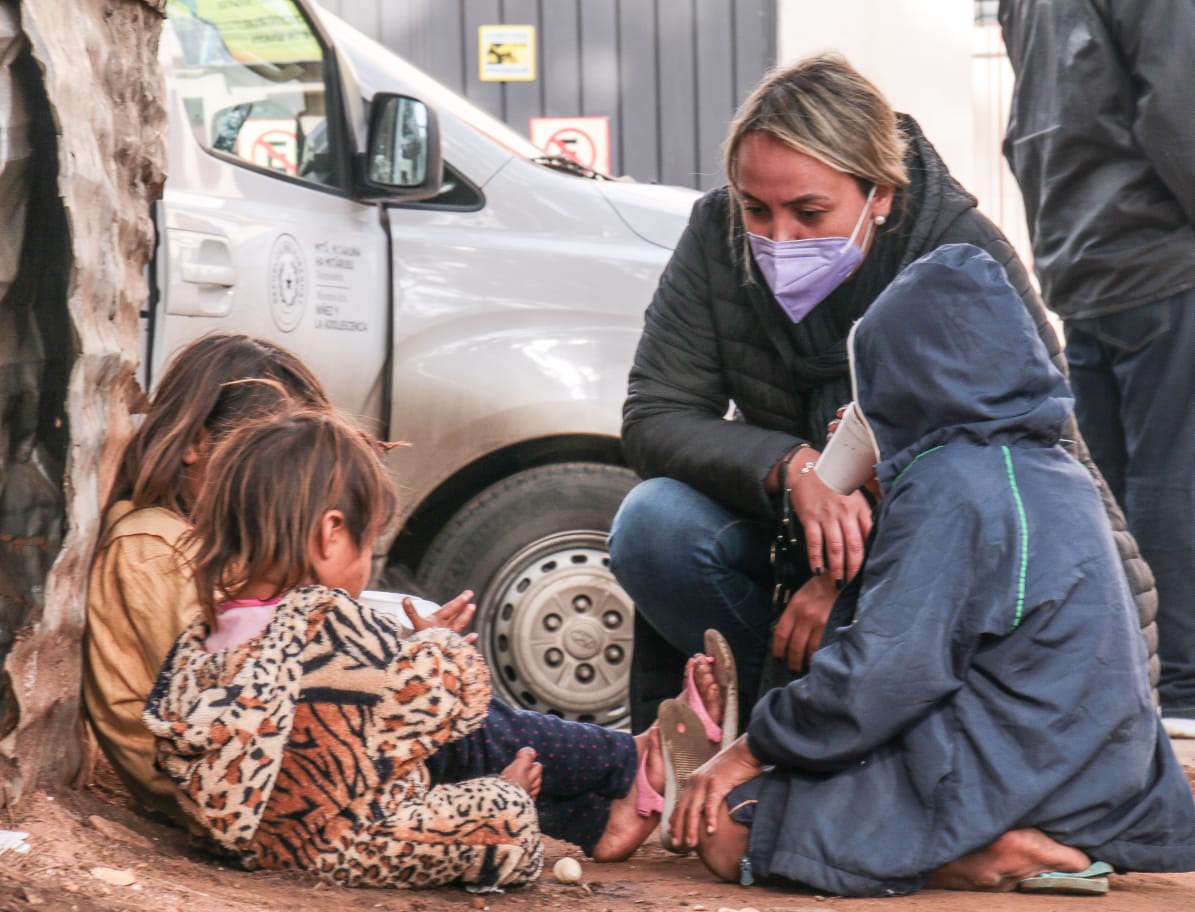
x,y
200,393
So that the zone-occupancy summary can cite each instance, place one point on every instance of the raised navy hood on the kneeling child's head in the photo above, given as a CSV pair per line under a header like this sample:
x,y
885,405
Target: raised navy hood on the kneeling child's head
x,y
948,353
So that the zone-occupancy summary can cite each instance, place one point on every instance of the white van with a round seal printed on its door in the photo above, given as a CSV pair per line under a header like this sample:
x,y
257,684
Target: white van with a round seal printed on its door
x,y
487,319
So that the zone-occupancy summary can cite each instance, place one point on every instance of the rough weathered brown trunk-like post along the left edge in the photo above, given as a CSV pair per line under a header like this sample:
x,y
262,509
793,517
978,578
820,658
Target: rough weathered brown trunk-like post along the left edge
x,y
93,91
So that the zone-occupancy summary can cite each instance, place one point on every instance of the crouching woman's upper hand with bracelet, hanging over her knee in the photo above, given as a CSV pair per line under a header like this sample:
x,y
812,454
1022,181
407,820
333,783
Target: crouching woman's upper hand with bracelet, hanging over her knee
x,y
836,528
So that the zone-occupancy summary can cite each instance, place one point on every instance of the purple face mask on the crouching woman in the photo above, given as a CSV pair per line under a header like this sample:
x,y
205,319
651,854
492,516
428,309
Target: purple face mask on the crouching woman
x,y
801,273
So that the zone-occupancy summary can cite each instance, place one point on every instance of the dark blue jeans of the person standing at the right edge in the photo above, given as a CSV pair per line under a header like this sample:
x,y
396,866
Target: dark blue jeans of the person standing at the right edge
x,y
1133,375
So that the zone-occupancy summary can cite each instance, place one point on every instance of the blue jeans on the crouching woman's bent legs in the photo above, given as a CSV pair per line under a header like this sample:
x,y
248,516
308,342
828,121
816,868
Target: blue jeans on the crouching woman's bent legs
x,y
689,564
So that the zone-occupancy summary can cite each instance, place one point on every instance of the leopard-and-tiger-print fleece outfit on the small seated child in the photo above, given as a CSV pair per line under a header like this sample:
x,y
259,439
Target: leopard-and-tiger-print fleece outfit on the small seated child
x,y
304,749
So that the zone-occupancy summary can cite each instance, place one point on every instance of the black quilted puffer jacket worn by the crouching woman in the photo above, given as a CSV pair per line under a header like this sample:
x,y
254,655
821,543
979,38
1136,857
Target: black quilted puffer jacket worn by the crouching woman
x,y
715,339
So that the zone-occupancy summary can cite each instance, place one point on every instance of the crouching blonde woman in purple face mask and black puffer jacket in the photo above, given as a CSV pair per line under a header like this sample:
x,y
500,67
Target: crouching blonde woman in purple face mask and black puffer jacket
x,y
831,195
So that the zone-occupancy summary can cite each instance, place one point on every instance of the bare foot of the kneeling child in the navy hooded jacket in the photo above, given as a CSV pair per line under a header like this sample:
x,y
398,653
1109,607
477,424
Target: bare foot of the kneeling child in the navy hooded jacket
x,y
1015,856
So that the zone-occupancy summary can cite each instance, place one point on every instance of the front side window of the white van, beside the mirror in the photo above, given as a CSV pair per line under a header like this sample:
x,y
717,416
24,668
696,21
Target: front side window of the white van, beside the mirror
x,y
253,78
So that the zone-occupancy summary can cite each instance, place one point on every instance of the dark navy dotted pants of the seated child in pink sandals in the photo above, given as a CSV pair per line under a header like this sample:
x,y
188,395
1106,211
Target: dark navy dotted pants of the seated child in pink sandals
x,y
586,768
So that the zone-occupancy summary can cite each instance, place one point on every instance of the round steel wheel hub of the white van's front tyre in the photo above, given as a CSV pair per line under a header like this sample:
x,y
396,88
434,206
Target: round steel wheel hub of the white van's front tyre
x,y
557,631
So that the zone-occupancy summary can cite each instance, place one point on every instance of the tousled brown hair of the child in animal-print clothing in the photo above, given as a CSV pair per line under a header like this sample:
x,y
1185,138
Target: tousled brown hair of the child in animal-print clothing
x,y
267,491
